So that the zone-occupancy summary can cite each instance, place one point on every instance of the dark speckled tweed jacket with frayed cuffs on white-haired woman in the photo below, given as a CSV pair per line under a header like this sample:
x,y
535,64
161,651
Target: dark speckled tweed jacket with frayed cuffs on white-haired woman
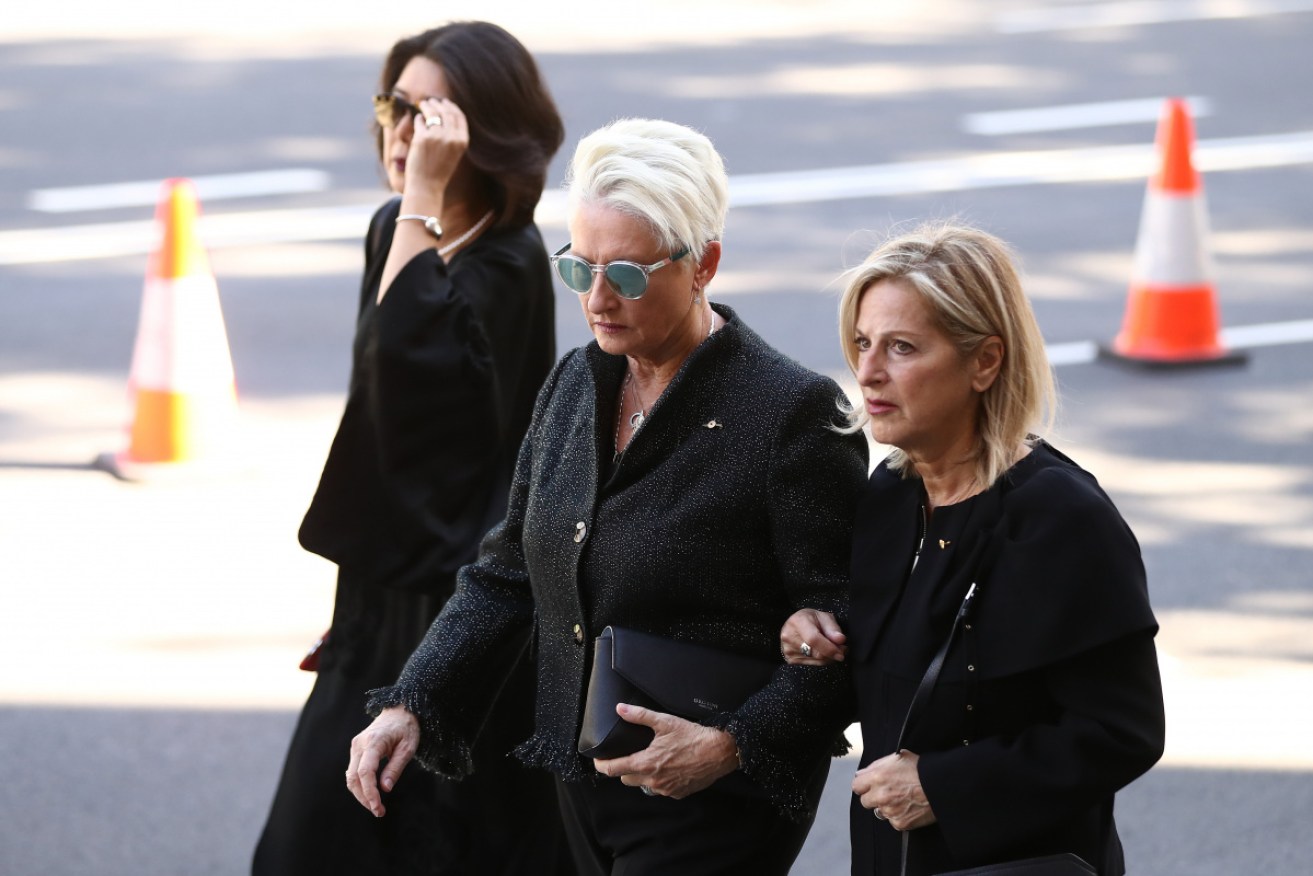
x,y
731,509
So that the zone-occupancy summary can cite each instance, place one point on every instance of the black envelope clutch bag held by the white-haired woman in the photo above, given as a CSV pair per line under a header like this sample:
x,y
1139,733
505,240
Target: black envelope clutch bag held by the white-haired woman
x,y
678,678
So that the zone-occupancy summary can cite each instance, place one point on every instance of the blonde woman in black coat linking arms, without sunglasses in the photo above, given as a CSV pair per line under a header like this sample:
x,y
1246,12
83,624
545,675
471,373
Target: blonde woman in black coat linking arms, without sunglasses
x,y
1048,701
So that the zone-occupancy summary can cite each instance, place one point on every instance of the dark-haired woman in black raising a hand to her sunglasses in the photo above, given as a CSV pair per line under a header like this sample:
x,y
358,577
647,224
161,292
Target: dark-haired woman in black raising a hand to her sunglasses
x,y
455,336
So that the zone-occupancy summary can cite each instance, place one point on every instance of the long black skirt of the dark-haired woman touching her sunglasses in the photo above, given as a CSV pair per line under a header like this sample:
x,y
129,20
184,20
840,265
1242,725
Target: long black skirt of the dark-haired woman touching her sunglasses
x,y
502,820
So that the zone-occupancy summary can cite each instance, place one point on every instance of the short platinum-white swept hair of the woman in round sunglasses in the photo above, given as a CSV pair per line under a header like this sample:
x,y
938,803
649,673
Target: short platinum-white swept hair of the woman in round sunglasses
x,y
661,173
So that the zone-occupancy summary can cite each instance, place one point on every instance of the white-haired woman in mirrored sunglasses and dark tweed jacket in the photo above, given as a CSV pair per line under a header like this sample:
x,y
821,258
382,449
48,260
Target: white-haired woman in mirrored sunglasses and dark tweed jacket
x,y
681,479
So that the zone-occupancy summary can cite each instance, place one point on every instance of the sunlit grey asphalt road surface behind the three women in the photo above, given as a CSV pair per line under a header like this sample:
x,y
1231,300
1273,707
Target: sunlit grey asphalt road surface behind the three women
x,y
150,634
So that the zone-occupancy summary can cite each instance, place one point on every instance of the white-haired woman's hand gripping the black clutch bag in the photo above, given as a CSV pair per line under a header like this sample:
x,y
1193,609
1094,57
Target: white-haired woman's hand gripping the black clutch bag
x,y
685,758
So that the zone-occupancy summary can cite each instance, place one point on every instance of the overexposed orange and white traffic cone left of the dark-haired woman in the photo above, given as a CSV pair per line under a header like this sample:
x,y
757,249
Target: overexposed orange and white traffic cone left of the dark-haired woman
x,y
182,380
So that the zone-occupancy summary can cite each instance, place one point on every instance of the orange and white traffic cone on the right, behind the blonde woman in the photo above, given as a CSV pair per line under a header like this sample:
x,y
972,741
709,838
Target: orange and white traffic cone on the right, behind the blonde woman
x,y
1172,313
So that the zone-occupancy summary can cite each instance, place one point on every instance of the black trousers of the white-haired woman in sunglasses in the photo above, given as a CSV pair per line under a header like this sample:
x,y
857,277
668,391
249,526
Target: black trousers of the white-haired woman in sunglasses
x,y
616,831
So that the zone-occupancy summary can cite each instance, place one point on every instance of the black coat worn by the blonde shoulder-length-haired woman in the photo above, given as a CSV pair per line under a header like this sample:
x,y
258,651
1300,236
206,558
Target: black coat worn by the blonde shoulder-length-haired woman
x,y
1051,699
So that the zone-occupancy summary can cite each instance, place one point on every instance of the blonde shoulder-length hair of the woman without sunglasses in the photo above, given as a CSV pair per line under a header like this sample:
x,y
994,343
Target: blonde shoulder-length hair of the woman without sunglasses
x,y
970,283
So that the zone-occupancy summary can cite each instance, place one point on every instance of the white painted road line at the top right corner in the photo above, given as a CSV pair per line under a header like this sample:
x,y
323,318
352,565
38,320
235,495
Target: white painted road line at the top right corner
x,y
1139,12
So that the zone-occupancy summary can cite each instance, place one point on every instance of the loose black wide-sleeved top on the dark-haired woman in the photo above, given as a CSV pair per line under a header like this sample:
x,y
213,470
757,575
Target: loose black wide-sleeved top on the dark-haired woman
x,y
444,375
